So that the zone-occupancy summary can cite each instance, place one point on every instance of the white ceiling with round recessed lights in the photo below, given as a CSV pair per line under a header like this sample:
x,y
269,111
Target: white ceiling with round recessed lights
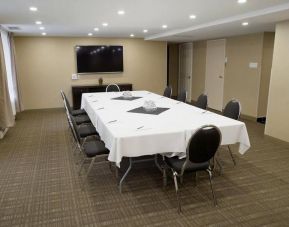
x,y
215,18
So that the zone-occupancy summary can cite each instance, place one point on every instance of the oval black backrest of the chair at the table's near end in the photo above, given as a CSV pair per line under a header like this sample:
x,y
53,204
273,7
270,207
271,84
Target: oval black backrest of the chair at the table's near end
x,y
203,144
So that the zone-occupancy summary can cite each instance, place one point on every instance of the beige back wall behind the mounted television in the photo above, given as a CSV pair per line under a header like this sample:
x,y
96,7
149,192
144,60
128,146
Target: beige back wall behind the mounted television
x,y
45,65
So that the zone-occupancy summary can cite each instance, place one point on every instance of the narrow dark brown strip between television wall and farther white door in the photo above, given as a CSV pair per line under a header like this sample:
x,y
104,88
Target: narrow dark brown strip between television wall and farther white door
x,y
174,67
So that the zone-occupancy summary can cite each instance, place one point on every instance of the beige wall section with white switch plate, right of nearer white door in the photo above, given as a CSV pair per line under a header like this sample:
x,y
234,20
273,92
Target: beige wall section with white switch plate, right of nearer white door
x,y
242,82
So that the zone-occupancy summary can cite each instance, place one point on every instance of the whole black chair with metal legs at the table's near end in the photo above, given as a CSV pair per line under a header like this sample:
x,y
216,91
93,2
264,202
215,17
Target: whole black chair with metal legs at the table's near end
x,y
200,150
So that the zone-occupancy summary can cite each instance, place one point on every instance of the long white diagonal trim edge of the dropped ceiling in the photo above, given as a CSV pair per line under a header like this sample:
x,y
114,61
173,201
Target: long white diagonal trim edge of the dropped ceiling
x,y
223,21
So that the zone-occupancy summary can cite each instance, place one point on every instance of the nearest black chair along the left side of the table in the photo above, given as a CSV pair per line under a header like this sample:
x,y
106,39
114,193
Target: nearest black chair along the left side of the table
x,y
90,146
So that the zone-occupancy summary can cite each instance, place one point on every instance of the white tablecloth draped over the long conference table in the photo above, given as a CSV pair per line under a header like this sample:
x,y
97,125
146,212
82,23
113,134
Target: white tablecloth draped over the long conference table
x,y
167,132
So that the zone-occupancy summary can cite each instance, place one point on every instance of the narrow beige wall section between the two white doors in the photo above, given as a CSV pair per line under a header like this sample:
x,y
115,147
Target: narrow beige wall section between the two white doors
x,y
199,68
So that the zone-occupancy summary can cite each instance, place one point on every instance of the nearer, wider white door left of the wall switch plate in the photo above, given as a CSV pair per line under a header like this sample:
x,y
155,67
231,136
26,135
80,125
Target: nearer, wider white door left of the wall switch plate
x,y
215,70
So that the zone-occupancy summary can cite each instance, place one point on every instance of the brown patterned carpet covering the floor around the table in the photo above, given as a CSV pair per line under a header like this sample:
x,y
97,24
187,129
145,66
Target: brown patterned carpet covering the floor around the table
x,y
40,186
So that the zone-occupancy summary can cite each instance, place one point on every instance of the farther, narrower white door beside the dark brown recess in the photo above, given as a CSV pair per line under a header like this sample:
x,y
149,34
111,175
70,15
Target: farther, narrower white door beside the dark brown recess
x,y
185,68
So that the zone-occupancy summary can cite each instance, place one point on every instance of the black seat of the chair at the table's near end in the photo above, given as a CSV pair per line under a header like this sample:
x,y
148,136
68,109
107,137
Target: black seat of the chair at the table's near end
x,y
177,164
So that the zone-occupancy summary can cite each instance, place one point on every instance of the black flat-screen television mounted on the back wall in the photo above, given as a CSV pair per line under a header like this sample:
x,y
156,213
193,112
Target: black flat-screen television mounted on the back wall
x,y
99,59
